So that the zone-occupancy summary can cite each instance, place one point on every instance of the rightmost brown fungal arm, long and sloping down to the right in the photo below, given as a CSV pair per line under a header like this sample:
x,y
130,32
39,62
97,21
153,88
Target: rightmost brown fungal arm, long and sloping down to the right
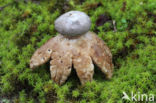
x,y
102,56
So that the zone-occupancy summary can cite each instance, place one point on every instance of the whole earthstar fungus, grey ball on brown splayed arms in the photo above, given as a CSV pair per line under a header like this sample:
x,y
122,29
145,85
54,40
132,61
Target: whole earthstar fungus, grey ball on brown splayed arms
x,y
75,45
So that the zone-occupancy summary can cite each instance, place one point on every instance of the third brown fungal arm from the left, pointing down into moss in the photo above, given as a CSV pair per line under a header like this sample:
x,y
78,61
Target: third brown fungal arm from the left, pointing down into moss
x,y
84,67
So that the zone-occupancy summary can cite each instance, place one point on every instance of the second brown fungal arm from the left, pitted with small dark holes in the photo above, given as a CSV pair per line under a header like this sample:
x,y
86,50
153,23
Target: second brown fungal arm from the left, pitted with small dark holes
x,y
60,66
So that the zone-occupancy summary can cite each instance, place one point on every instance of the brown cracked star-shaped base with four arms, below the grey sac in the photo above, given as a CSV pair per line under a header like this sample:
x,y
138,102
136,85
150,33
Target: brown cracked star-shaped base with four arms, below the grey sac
x,y
80,52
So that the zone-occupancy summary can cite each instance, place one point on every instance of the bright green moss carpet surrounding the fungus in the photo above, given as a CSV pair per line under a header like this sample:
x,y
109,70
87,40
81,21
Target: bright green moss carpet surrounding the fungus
x,y
25,25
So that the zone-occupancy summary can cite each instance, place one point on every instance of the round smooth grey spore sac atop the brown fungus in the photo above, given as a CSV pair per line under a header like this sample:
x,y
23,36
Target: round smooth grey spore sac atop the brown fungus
x,y
73,23
